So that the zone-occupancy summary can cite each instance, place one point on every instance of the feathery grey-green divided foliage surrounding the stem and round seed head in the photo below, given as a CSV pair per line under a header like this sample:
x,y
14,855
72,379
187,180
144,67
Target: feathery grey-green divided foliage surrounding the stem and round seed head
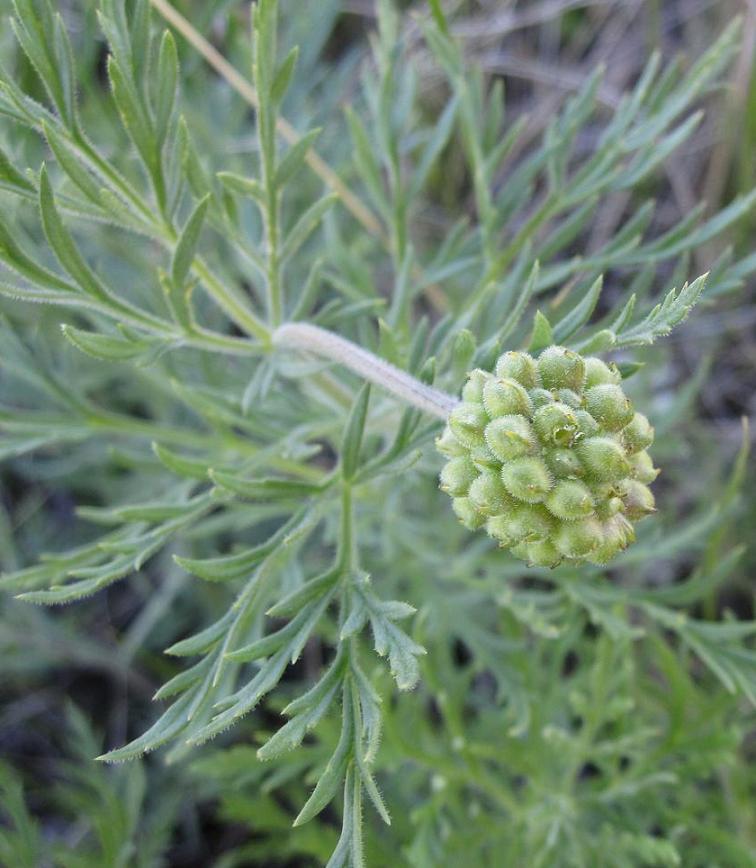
x,y
281,522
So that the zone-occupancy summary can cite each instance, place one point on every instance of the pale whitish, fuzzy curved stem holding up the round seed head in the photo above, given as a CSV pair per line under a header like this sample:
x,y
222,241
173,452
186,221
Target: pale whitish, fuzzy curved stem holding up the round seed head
x,y
370,367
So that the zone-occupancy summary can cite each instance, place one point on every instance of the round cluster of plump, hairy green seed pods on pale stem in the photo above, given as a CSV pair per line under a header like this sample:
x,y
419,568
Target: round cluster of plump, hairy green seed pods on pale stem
x,y
550,457
